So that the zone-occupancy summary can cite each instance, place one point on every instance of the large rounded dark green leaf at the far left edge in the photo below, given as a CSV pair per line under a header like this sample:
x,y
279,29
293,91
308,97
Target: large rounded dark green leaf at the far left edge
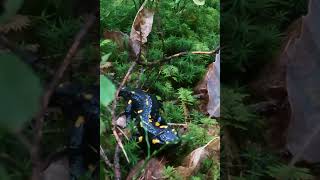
x,y
20,92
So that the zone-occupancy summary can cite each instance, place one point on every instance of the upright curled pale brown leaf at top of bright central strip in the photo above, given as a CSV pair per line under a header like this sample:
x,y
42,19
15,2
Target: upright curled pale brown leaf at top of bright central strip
x,y
141,29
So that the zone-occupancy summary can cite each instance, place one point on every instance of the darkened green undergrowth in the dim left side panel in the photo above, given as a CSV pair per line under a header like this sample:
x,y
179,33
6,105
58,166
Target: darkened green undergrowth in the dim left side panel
x,y
44,34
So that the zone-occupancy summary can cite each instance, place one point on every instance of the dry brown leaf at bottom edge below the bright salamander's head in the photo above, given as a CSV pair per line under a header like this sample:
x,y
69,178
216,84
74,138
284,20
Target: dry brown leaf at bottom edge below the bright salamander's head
x,y
153,170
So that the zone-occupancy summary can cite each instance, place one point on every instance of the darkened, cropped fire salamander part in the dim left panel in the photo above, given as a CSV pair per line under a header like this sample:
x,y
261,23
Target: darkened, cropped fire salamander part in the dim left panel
x,y
81,105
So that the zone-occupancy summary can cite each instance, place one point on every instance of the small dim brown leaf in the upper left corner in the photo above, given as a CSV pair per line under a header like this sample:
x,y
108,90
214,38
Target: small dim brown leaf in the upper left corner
x,y
16,23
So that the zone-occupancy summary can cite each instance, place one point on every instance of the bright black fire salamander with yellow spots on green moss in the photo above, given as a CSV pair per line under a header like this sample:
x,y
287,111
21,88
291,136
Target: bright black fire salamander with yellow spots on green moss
x,y
145,108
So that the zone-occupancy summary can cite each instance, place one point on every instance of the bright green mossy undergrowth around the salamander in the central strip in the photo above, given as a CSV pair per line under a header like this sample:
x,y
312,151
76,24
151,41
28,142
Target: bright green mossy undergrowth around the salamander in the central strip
x,y
178,27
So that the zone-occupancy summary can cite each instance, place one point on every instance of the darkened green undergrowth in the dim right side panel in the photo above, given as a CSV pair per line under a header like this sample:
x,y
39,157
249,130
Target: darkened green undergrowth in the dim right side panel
x,y
252,35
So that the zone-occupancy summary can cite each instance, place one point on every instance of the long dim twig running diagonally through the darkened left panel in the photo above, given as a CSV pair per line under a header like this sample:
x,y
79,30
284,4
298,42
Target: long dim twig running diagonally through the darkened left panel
x,y
35,150
